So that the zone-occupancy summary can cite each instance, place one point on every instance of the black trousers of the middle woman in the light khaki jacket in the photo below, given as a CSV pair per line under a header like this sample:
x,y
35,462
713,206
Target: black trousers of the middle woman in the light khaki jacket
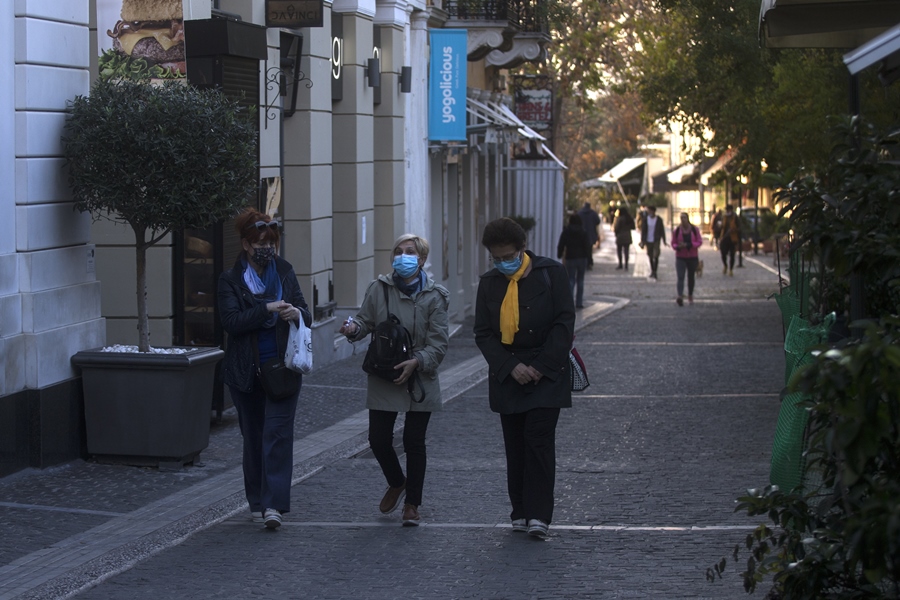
x,y
381,440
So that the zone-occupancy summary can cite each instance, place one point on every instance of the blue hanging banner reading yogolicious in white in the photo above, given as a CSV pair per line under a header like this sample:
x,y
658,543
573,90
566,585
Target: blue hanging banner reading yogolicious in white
x,y
447,85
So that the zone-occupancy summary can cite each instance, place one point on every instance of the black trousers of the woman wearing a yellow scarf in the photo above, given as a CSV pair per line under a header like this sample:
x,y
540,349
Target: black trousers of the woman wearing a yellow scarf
x,y
530,441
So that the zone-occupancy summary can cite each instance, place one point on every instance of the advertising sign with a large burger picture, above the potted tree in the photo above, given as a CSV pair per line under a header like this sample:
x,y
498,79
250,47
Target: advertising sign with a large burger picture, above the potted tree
x,y
141,39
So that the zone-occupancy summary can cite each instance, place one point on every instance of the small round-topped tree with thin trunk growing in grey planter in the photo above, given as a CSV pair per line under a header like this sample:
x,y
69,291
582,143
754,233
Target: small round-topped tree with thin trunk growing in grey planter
x,y
159,158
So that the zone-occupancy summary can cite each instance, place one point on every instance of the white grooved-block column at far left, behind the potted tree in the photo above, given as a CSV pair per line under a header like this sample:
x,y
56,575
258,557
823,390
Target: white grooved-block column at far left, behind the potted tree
x,y
60,297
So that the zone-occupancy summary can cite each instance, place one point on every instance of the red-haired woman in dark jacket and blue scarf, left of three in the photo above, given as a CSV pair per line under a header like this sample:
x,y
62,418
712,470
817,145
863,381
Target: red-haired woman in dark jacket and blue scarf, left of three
x,y
257,299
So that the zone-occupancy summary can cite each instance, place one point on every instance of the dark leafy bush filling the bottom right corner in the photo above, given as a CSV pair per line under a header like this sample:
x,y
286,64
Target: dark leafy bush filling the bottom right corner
x,y
840,539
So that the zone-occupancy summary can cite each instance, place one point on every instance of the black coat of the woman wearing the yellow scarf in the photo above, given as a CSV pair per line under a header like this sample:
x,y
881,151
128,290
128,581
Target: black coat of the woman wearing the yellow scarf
x,y
546,326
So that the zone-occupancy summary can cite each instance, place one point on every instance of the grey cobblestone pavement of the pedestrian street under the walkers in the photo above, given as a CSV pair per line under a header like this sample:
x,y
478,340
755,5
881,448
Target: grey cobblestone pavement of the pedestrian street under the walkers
x,y
677,423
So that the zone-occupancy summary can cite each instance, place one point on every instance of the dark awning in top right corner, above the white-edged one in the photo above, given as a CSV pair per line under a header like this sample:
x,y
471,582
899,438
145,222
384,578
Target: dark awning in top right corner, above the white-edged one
x,y
824,23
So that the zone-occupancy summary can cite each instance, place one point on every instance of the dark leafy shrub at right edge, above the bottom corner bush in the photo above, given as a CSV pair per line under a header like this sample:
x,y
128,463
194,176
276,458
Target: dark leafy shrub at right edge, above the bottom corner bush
x,y
847,218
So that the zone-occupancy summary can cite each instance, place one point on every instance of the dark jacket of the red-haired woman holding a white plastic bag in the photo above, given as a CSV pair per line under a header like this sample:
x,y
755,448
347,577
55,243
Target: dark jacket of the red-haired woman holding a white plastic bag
x,y
243,315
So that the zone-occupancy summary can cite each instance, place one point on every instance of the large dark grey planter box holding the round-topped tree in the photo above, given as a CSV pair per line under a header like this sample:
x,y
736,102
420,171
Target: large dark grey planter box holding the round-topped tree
x,y
147,409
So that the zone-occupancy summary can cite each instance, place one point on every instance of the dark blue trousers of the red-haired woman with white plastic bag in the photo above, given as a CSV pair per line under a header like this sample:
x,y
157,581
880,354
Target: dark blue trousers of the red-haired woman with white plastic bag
x,y
268,431
